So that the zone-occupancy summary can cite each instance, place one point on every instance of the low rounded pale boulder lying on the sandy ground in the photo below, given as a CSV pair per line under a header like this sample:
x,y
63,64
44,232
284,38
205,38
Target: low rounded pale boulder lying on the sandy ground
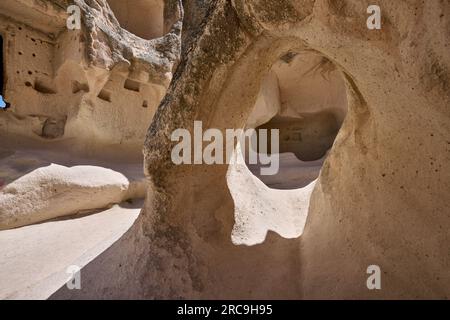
x,y
55,191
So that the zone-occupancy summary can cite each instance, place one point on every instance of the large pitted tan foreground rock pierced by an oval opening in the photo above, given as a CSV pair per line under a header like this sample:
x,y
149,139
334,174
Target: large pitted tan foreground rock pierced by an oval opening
x,y
381,197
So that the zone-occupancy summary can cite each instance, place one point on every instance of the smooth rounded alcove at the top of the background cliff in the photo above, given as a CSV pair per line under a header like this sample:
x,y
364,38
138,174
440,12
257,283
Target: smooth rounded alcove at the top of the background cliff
x,y
144,18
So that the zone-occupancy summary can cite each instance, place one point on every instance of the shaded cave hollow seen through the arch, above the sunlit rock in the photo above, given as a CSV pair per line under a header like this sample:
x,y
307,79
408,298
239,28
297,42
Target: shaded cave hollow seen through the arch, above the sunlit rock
x,y
304,97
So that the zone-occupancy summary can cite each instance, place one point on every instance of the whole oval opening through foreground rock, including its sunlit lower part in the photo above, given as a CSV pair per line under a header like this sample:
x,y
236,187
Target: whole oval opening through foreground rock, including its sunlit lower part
x,y
304,96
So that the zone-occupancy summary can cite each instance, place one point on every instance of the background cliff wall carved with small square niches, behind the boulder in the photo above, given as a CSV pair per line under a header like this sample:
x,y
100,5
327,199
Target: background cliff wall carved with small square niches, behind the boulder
x,y
97,87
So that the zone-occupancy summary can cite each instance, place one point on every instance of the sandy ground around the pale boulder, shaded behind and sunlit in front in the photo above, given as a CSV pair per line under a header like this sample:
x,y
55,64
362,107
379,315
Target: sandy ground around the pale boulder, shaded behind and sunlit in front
x,y
34,258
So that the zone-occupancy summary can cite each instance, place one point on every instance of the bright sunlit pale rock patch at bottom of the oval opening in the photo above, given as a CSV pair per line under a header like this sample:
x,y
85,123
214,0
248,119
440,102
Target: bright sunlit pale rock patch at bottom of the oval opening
x,y
259,209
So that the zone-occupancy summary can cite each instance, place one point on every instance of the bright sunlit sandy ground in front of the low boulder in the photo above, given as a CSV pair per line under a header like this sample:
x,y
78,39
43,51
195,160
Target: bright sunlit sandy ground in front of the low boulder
x,y
34,259
